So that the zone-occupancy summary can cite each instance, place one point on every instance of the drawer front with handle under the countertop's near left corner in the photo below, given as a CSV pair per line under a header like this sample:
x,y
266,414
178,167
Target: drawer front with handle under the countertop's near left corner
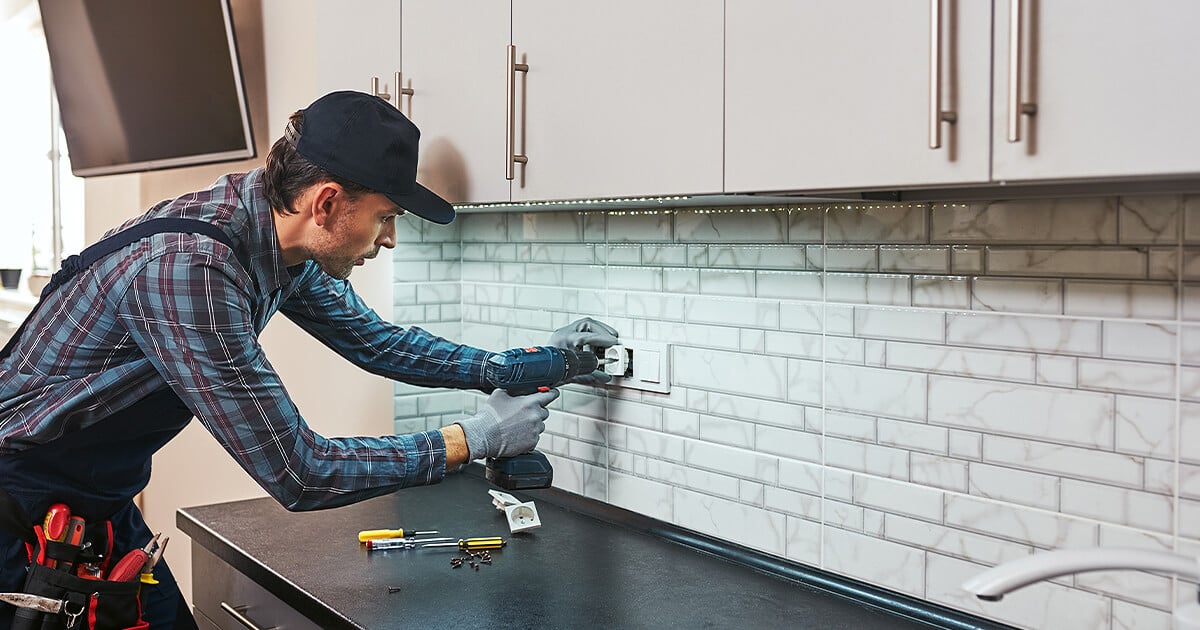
x,y
230,601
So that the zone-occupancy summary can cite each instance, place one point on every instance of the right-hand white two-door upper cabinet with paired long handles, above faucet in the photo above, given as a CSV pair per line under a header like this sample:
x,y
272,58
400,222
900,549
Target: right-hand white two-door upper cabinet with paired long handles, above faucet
x,y
826,97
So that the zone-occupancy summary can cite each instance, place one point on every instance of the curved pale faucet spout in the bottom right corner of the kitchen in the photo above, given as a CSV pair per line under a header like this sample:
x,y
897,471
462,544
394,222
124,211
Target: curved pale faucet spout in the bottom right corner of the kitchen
x,y
997,583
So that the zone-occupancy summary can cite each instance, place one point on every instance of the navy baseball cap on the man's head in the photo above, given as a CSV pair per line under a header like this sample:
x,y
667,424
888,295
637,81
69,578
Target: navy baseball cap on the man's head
x,y
361,137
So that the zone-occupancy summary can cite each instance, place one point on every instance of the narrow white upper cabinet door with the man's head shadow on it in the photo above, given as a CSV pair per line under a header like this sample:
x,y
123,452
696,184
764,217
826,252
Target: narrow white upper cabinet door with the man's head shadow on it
x,y
454,55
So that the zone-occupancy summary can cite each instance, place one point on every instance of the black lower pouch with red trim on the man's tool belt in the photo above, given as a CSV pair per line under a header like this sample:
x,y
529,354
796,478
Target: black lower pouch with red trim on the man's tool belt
x,y
89,604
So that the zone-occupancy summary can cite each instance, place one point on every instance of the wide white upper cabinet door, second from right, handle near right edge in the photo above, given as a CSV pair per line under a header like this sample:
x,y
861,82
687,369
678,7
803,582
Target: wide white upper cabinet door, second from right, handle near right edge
x,y
837,95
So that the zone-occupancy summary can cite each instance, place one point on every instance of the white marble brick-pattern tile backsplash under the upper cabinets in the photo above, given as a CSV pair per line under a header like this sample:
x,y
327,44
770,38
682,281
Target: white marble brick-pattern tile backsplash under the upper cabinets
x,y
904,394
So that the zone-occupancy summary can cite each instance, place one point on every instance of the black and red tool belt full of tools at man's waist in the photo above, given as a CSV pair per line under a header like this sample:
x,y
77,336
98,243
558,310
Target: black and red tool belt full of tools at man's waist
x,y
76,578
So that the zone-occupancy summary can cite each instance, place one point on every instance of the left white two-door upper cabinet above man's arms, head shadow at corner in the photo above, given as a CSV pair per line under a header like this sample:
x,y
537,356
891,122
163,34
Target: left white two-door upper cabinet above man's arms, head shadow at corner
x,y
621,99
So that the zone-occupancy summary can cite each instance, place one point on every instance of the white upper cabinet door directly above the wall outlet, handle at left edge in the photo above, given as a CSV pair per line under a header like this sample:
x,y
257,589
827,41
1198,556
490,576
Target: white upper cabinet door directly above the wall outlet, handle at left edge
x,y
621,99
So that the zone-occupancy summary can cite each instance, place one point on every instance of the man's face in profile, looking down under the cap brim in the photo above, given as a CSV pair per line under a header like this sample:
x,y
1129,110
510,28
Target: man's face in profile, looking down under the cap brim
x,y
356,231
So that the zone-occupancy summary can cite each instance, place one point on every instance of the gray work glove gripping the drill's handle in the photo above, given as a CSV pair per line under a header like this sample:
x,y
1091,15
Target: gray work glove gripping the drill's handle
x,y
507,425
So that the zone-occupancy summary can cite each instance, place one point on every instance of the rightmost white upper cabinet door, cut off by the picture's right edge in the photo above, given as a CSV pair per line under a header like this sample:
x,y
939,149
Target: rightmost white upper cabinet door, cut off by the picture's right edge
x,y
1114,83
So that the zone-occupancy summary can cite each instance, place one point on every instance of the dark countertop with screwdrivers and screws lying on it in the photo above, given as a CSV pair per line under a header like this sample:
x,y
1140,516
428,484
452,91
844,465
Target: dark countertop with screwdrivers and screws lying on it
x,y
575,572
